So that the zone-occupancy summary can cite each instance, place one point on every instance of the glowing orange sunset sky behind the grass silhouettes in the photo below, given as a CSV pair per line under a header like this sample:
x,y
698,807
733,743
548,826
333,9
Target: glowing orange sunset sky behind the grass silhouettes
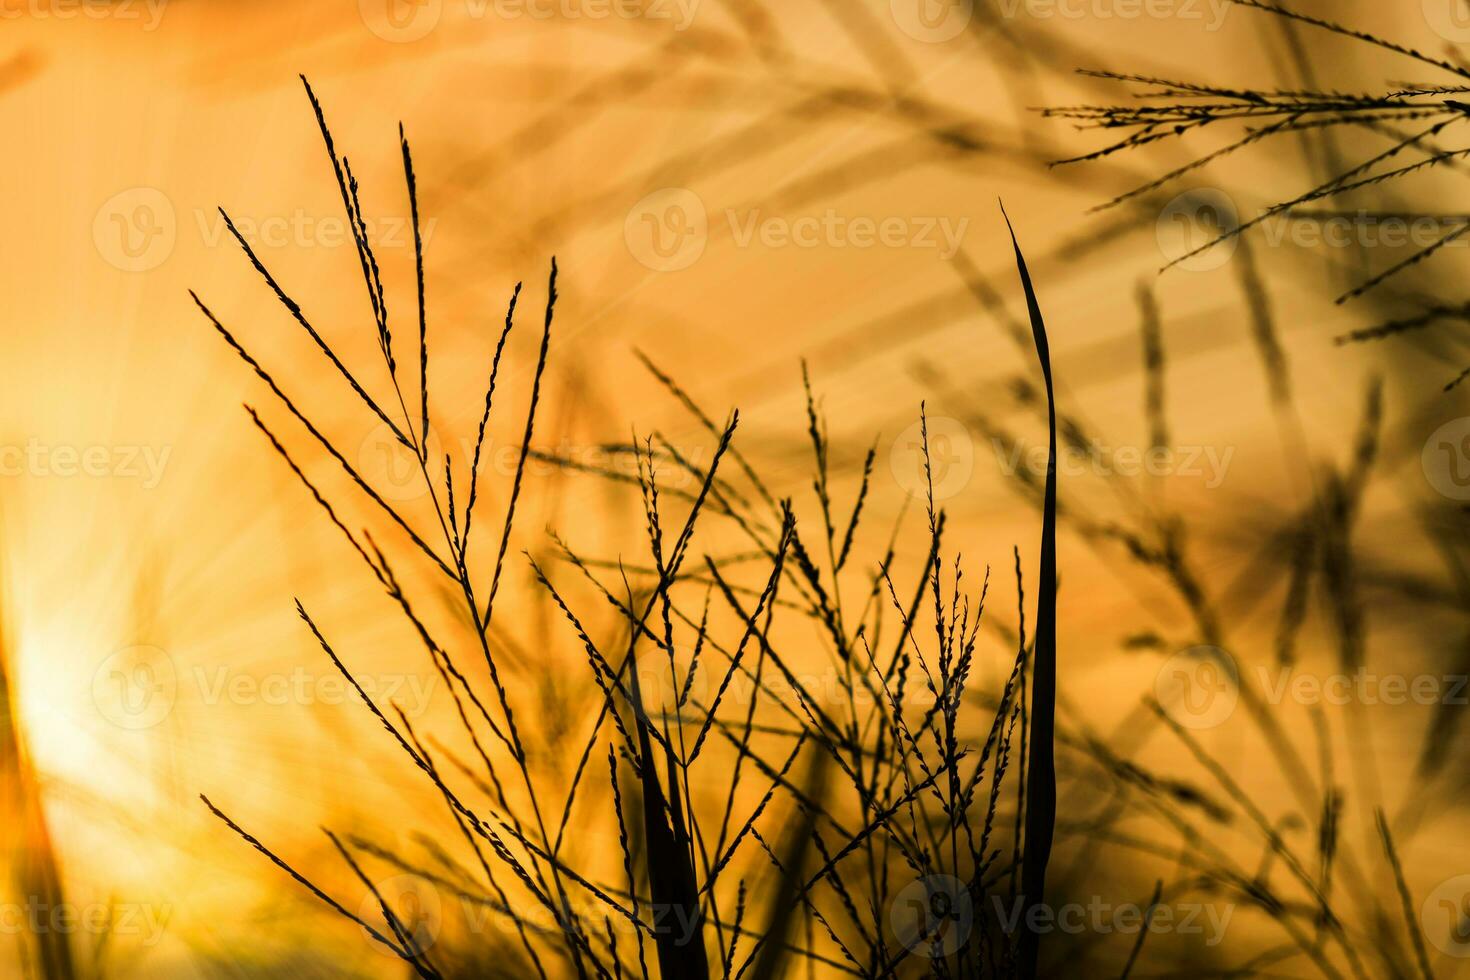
x,y
154,544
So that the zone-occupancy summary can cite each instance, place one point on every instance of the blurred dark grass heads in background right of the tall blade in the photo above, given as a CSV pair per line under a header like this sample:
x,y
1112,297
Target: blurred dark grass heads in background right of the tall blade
x,y
1322,891
